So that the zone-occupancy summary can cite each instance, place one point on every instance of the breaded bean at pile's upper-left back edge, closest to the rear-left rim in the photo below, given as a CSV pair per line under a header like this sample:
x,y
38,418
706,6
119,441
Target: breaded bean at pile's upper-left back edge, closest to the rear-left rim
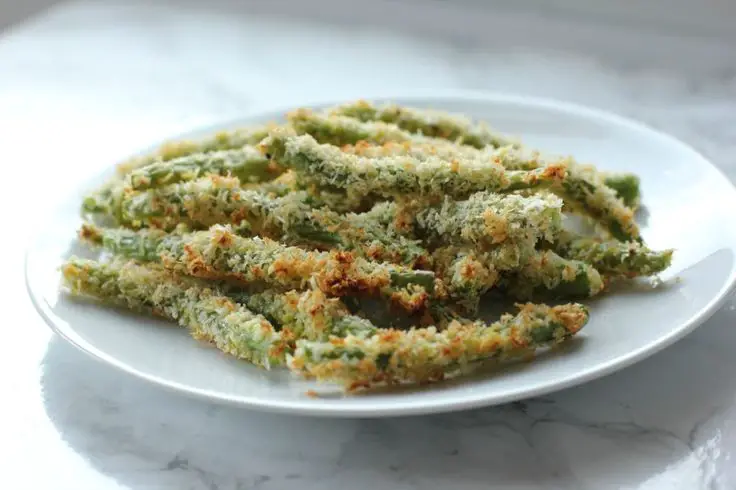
x,y
221,140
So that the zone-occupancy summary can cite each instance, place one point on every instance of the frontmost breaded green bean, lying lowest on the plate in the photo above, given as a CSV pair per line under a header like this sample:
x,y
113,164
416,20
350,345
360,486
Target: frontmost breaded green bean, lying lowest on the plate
x,y
426,355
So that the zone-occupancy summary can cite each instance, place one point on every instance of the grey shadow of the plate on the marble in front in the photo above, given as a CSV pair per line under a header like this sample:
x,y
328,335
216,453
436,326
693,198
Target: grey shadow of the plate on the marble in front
x,y
641,428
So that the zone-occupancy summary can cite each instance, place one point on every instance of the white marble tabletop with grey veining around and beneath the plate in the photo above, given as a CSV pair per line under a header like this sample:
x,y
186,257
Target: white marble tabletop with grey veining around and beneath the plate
x,y
89,82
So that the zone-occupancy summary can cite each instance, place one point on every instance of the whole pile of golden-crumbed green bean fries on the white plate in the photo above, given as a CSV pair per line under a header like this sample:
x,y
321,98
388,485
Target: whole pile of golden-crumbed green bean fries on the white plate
x,y
269,241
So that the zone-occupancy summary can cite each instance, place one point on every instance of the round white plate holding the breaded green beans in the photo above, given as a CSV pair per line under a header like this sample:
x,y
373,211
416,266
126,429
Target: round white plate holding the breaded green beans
x,y
690,205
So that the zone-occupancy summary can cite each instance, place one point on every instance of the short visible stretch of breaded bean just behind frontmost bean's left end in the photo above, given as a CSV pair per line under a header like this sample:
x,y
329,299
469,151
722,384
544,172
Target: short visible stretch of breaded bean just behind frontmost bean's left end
x,y
308,314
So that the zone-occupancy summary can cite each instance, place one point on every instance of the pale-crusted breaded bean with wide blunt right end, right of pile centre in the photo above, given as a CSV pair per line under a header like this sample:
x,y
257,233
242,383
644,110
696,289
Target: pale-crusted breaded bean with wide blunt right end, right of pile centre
x,y
483,220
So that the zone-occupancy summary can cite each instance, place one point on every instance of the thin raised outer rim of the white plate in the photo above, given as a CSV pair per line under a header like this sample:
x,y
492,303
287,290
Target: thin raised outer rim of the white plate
x,y
308,407
